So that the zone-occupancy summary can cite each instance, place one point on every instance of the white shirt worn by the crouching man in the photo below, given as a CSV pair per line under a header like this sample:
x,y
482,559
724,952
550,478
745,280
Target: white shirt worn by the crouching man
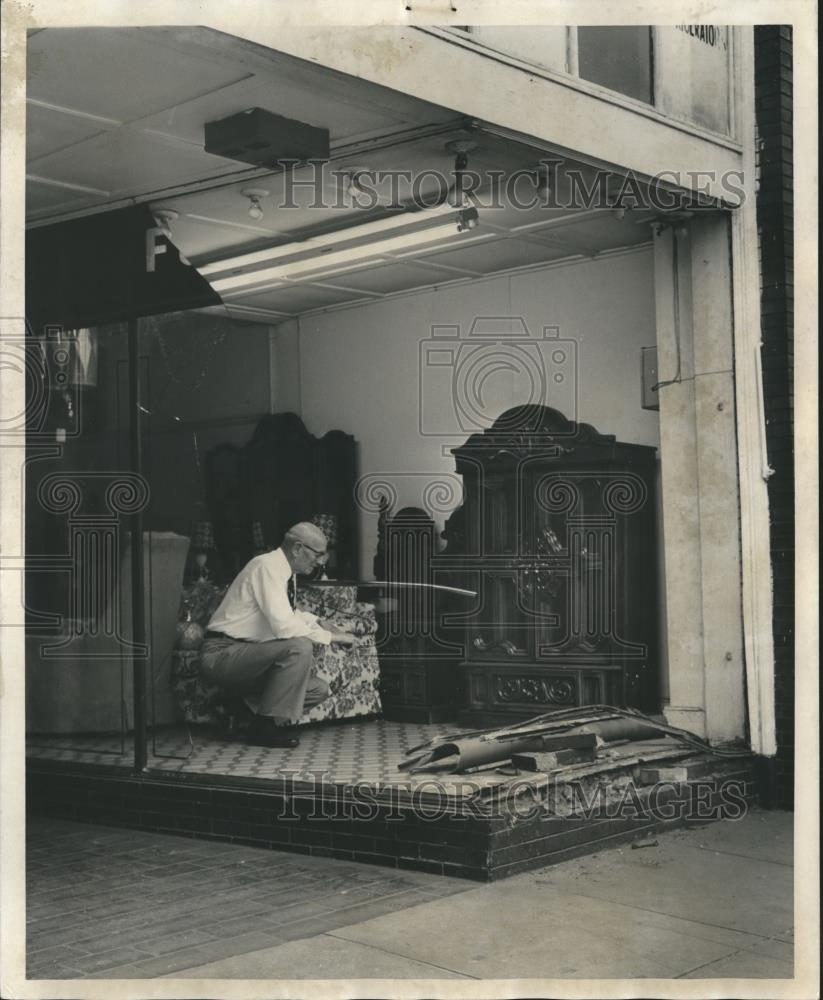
x,y
256,606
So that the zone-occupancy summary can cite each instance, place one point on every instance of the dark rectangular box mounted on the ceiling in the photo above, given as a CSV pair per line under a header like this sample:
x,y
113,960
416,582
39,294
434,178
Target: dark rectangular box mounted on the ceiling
x,y
263,138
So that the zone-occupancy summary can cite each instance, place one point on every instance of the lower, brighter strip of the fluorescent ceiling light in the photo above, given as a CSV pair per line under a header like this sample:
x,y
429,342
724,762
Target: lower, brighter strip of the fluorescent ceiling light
x,y
340,260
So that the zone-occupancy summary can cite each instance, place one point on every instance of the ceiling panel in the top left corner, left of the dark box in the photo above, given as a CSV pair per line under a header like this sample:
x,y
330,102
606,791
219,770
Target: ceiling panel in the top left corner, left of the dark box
x,y
118,74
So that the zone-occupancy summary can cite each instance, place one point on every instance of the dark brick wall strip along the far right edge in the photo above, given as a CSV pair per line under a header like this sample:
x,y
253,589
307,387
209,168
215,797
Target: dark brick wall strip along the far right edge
x,y
773,108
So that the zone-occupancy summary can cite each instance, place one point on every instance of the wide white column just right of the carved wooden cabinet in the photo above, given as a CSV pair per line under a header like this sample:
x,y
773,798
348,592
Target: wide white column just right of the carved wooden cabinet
x,y
701,502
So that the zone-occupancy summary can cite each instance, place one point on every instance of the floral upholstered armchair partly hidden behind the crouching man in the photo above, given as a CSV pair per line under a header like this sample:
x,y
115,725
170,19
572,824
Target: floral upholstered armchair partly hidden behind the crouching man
x,y
352,673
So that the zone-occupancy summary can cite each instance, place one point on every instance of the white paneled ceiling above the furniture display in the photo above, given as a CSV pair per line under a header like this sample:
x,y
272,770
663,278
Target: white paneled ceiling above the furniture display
x,y
117,116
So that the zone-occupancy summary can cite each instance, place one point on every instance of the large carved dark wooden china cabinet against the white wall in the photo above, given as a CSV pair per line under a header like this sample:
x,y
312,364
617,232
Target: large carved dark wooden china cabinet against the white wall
x,y
557,536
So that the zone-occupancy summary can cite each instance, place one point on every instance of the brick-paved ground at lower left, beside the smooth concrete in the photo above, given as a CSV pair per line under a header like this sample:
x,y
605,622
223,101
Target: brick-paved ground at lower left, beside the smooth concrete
x,y
149,904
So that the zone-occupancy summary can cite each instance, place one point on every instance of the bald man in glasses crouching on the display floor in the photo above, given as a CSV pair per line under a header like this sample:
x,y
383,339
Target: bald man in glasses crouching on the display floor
x,y
259,646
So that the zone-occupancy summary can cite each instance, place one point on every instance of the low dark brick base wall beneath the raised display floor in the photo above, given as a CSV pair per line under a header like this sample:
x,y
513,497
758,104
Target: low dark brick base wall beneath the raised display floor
x,y
471,839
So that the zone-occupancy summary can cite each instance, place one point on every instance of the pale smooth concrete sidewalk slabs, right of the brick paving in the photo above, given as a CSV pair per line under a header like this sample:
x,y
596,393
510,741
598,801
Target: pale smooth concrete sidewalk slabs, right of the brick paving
x,y
705,903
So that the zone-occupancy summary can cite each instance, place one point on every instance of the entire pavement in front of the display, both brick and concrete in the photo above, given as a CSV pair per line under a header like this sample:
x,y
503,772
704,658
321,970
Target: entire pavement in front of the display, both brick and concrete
x,y
109,903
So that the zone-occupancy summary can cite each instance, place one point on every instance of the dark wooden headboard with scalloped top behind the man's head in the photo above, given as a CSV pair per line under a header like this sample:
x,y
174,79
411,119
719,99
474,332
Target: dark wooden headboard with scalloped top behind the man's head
x,y
281,476
